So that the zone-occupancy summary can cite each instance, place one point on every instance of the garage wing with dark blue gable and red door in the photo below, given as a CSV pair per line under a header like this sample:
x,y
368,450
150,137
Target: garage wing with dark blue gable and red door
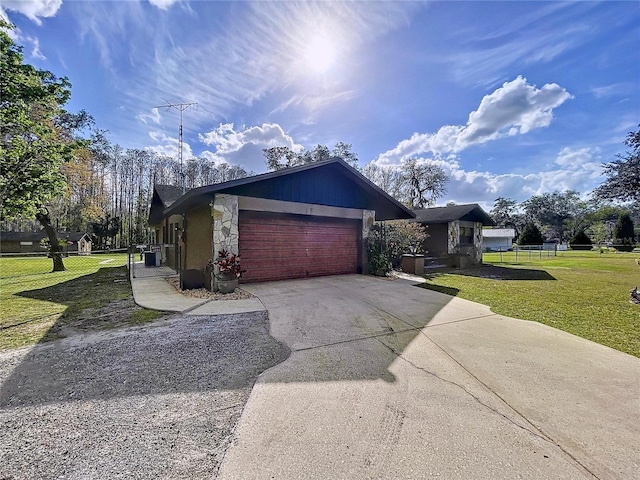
x,y
298,222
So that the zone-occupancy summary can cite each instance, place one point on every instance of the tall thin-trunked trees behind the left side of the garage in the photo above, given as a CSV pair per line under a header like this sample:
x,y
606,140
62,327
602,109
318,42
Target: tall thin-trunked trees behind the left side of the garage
x,y
108,190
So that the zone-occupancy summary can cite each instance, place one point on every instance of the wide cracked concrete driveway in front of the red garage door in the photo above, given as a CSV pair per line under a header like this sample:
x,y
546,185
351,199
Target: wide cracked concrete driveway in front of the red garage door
x,y
387,380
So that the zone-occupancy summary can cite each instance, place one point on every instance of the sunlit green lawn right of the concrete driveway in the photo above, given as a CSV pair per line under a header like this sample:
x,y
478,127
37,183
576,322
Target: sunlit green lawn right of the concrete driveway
x,y
583,293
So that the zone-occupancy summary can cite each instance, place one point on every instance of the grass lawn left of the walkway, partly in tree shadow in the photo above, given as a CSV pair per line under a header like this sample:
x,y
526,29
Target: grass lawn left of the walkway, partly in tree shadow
x,y
38,305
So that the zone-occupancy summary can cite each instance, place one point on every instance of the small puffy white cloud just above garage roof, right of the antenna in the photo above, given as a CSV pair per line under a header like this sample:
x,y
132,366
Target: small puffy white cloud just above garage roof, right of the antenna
x,y
244,145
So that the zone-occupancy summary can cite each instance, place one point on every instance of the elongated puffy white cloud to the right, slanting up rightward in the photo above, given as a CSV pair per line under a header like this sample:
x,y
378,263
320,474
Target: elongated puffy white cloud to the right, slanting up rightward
x,y
515,108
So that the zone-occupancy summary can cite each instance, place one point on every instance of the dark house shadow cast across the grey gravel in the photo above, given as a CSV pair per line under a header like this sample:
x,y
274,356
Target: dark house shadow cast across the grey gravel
x,y
184,355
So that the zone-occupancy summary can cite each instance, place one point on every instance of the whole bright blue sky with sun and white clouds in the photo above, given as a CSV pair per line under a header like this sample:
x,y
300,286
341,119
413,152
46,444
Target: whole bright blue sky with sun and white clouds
x,y
511,98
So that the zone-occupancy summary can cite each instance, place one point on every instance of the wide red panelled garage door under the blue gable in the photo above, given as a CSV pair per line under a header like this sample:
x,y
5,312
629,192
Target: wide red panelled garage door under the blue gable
x,y
279,247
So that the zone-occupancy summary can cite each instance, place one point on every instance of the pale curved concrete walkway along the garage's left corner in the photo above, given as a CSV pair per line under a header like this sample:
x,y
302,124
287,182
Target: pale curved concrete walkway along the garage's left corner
x,y
157,294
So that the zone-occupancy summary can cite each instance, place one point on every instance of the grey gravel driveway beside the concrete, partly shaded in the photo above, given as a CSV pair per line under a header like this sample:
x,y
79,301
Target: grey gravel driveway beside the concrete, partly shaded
x,y
159,401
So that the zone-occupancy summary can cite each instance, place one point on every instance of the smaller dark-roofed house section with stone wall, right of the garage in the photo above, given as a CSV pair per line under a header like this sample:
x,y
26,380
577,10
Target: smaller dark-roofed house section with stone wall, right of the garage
x,y
455,233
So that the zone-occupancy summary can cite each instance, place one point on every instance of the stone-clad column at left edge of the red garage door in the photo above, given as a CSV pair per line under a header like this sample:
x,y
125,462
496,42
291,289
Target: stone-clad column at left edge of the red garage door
x,y
225,227
